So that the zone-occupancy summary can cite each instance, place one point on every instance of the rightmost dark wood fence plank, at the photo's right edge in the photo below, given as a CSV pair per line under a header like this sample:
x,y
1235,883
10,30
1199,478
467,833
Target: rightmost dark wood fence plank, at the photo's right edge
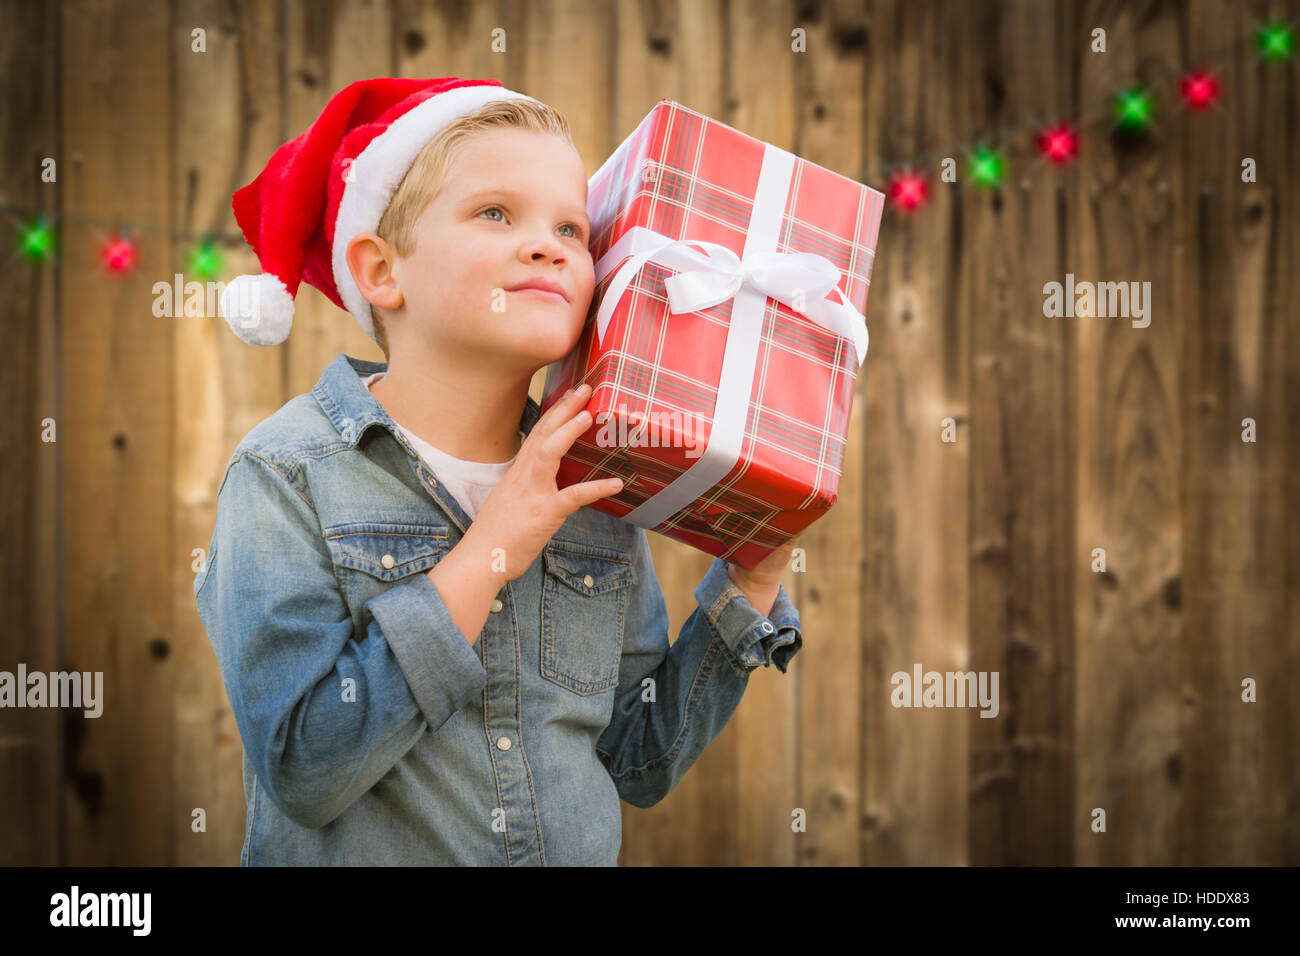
x,y
1236,767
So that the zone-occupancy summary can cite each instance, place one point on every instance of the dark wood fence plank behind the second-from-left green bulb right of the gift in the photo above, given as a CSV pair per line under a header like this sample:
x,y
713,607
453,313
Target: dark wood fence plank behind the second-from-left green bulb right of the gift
x,y
1021,514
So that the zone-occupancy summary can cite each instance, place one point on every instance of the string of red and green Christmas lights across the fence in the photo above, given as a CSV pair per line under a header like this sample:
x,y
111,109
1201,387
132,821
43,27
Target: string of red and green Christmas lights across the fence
x,y
1056,141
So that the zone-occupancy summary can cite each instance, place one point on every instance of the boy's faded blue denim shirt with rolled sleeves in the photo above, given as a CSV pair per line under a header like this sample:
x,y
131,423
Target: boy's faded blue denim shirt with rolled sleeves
x,y
374,732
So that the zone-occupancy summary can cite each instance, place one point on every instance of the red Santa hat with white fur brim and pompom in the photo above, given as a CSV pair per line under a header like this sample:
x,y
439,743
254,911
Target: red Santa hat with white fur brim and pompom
x,y
332,183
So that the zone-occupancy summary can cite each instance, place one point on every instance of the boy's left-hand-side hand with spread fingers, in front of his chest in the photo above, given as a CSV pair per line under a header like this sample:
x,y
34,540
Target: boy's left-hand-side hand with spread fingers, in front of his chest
x,y
527,508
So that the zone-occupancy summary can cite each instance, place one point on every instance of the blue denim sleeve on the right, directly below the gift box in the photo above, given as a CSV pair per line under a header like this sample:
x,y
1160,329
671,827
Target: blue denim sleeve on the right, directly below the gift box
x,y
671,703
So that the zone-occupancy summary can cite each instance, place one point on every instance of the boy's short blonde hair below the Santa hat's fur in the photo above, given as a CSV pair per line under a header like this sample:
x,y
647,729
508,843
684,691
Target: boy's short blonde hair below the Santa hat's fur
x,y
430,171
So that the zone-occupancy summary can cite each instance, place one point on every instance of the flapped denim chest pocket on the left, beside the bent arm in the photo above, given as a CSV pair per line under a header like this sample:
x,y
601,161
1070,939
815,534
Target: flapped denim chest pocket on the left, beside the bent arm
x,y
370,557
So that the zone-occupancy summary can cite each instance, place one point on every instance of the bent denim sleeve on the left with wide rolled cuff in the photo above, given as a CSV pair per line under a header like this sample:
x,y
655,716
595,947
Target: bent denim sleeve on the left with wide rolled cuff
x,y
323,715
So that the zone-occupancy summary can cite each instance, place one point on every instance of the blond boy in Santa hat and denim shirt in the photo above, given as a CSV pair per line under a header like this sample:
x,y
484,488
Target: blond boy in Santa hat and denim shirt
x,y
434,655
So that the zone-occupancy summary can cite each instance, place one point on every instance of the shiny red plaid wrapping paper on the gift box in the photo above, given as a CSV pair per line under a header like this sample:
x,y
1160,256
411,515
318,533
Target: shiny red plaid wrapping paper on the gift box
x,y
686,176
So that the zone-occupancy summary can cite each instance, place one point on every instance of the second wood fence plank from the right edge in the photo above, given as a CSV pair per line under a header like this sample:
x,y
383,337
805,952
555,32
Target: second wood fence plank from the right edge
x,y
1130,648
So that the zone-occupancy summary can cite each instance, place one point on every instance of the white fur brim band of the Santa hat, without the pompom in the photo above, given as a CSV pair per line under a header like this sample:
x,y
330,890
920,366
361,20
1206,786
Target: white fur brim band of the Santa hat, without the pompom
x,y
378,172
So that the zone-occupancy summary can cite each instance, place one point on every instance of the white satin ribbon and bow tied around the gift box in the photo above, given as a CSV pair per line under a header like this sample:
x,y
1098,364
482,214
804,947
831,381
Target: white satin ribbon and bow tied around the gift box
x,y
712,276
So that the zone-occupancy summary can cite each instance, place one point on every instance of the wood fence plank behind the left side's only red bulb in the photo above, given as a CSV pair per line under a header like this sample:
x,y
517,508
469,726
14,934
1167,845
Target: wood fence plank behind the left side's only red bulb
x,y
118,462
